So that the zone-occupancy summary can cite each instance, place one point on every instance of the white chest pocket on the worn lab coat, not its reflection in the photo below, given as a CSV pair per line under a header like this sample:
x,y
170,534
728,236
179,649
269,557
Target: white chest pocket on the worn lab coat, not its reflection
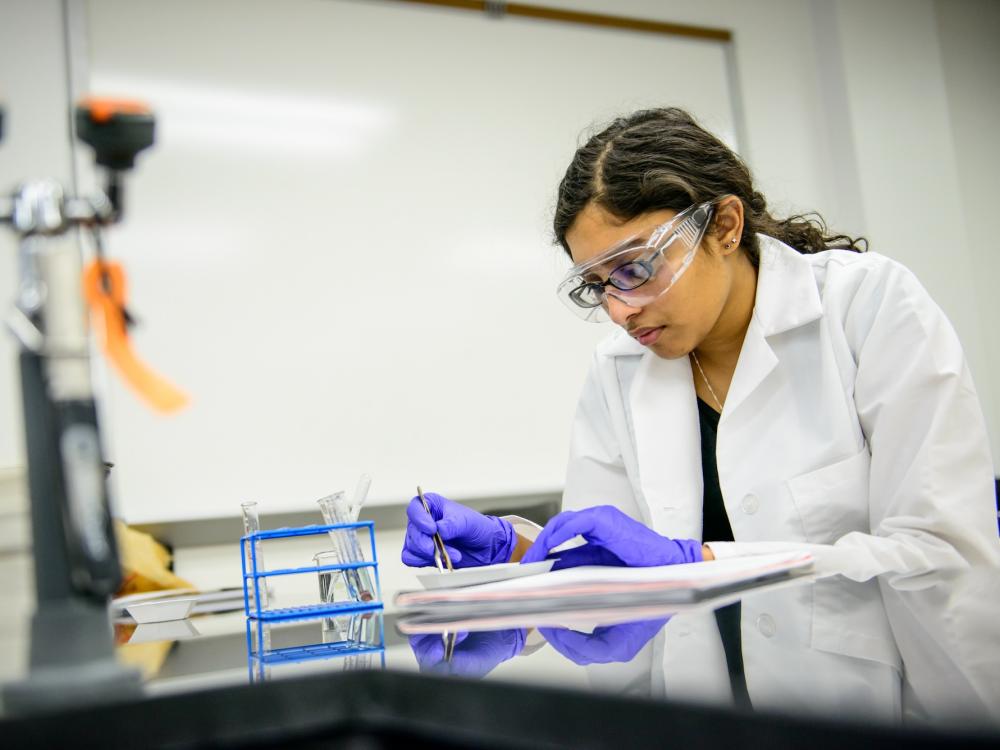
x,y
833,500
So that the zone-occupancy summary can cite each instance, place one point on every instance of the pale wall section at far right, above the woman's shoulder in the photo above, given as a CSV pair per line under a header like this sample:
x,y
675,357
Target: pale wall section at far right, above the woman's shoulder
x,y
919,98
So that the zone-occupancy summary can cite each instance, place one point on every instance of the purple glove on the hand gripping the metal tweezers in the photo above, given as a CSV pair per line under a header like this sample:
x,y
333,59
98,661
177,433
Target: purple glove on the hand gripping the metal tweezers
x,y
470,537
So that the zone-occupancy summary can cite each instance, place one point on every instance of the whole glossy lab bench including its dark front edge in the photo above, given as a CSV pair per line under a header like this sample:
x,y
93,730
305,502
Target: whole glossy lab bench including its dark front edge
x,y
894,668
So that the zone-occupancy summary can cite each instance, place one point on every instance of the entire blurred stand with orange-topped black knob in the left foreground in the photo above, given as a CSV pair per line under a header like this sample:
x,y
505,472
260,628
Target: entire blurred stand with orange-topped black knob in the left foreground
x,y
76,557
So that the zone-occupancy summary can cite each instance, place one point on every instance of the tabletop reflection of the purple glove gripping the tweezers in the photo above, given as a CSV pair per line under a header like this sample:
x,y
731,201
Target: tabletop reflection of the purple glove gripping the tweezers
x,y
476,654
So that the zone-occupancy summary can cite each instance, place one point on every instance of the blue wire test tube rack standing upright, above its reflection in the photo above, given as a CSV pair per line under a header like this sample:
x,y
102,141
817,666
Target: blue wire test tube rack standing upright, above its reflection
x,y
253,576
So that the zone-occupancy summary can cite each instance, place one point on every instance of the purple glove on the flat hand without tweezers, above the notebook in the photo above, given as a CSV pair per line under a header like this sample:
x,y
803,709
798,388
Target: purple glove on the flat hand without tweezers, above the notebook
x,y
612,538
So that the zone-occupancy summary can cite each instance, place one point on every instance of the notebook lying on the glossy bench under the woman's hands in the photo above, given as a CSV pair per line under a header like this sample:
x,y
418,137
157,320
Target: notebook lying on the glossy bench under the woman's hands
x,y
602,586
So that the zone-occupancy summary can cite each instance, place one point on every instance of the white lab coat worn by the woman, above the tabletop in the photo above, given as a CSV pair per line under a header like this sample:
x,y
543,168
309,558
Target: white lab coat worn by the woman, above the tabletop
x,y
852,426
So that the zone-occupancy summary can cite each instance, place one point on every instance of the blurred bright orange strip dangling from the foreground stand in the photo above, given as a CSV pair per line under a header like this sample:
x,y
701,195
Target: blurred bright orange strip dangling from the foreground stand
x,y
107,308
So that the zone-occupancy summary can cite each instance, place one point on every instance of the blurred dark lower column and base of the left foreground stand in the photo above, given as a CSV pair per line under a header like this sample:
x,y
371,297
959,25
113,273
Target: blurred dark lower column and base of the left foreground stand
x,y
72,658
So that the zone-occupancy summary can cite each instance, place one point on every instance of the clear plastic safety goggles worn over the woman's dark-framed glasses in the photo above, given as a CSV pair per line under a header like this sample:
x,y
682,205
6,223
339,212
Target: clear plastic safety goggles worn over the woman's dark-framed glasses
x,y
636,272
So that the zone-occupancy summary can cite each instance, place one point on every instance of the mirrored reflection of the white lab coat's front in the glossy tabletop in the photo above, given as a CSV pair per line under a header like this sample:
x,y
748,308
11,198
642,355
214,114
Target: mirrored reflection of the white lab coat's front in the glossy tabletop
x,y
785,669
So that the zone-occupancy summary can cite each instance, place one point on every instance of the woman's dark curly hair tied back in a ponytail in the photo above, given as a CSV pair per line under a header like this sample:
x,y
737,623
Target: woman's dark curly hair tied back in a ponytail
x,y
661,158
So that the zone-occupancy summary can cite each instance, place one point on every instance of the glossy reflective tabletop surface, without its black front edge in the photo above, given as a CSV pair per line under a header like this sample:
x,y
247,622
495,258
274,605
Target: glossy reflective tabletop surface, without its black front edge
x,y
916,651
